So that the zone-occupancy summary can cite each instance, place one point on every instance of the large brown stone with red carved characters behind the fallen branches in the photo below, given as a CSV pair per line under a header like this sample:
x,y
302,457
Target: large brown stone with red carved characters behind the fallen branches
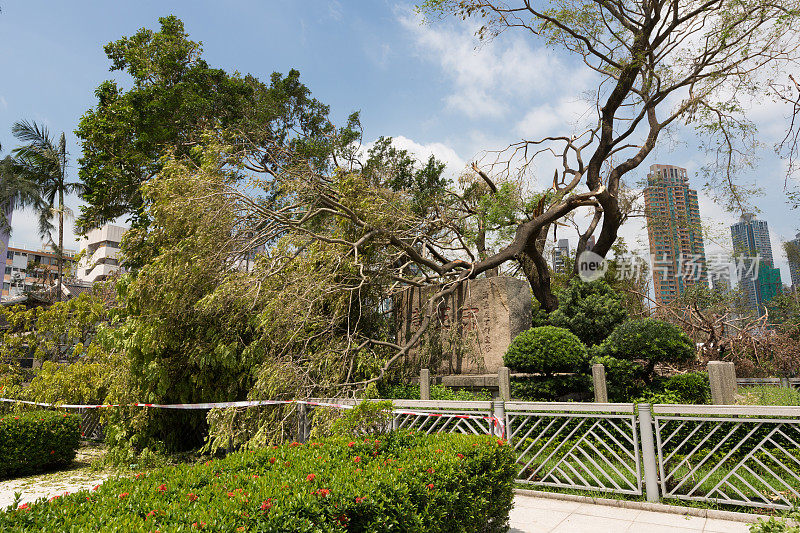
x,y
473,327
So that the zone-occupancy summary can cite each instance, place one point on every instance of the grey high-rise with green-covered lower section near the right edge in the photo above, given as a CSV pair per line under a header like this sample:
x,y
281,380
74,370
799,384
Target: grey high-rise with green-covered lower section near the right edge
x,y
759,280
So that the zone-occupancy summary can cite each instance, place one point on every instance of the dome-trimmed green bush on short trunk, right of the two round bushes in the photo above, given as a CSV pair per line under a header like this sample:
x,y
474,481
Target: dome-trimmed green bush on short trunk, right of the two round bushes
x,y
649,341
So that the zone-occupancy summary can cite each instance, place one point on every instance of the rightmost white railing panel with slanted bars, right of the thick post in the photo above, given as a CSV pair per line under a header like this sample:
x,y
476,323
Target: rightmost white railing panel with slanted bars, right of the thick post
x,y
747,456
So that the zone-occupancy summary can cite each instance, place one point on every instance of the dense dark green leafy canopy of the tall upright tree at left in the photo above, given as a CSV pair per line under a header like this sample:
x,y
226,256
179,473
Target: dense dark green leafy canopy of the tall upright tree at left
x,y
175,98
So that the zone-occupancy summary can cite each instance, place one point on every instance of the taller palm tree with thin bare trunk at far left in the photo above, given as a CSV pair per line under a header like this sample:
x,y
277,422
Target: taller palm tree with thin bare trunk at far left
x,y
44,162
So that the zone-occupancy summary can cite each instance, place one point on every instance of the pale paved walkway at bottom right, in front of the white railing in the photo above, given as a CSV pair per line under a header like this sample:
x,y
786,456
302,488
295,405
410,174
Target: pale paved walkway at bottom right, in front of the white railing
x,y
535,515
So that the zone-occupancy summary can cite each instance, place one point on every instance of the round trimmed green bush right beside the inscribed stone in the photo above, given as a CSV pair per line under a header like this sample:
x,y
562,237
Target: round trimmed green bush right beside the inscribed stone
x,y
546,350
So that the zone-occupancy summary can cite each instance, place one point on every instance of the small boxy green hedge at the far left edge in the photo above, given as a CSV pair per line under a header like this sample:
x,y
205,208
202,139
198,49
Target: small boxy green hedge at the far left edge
x,y
37,441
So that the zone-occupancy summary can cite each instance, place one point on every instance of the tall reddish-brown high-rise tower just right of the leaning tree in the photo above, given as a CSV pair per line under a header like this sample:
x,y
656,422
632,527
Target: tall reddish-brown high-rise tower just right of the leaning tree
x,y
675,233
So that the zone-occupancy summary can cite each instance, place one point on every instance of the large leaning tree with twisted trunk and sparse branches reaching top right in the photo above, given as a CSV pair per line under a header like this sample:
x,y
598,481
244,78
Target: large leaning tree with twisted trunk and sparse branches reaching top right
x,y
657,64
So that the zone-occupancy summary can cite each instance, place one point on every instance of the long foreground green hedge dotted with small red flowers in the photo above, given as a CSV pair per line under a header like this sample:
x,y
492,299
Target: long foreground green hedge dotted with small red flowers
x,y
397,482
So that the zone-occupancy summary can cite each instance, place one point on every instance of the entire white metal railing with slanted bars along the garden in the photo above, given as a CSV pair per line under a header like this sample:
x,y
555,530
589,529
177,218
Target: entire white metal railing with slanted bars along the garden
x,y
744,456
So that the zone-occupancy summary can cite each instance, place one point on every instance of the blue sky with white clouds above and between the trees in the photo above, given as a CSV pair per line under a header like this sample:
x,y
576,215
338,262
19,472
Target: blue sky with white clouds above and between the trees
x,y
426,85
